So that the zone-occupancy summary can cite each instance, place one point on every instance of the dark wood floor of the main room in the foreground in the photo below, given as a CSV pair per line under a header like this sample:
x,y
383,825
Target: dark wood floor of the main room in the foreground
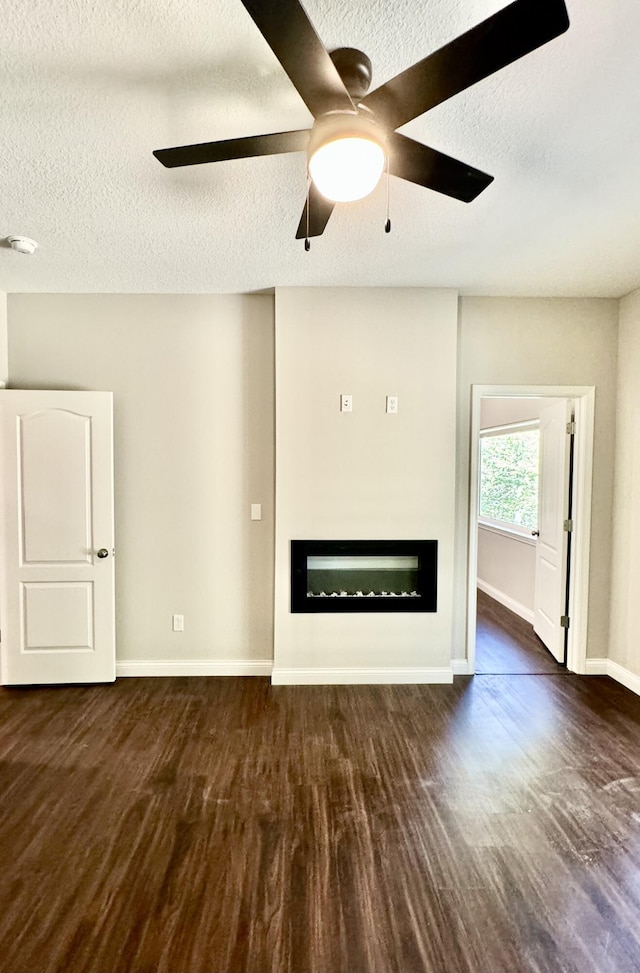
x,y
202,825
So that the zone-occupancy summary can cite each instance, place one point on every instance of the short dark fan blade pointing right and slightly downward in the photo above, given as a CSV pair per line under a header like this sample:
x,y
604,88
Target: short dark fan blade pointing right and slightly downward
x,y
427,167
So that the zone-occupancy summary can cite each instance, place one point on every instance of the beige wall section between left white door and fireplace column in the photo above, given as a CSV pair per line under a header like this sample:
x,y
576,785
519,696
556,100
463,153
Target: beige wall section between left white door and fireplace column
x,y
192,378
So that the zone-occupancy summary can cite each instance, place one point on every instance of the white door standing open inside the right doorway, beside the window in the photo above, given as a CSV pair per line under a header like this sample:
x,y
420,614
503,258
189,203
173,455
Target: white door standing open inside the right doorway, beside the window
x,y
551,548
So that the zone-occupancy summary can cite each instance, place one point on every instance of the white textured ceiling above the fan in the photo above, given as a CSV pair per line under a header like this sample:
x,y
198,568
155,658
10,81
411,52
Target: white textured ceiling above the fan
x,y
90,88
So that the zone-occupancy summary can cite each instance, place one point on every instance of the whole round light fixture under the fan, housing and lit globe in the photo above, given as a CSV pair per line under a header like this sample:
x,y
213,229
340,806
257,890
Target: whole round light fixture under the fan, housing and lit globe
x,y
347,156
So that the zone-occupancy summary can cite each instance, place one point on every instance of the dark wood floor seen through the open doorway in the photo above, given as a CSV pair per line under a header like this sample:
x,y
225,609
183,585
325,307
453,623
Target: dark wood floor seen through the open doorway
x,y
506,644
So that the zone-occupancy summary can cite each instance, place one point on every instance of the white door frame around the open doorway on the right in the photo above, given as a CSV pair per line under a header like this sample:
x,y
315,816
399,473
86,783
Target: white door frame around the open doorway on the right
x,y
584,398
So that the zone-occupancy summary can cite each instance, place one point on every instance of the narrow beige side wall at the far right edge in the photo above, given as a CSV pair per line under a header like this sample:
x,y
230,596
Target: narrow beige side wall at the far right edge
x,y
625,573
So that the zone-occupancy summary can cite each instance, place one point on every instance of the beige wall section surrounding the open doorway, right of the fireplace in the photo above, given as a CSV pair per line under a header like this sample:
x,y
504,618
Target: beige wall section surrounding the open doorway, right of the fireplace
x,y
539,341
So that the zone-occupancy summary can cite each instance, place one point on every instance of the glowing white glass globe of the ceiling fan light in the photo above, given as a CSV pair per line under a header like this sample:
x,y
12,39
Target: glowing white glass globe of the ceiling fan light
x,y
346,169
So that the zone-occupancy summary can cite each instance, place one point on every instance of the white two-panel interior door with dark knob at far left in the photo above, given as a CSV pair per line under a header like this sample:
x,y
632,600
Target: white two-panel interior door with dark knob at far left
x,y
56,546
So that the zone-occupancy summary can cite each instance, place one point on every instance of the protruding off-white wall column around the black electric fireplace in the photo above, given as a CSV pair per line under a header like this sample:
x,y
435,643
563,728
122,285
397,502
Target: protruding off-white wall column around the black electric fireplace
x,y
366,474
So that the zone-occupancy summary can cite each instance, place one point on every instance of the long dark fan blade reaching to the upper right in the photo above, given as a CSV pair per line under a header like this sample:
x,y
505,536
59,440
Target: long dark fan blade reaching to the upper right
x,y
501,39
